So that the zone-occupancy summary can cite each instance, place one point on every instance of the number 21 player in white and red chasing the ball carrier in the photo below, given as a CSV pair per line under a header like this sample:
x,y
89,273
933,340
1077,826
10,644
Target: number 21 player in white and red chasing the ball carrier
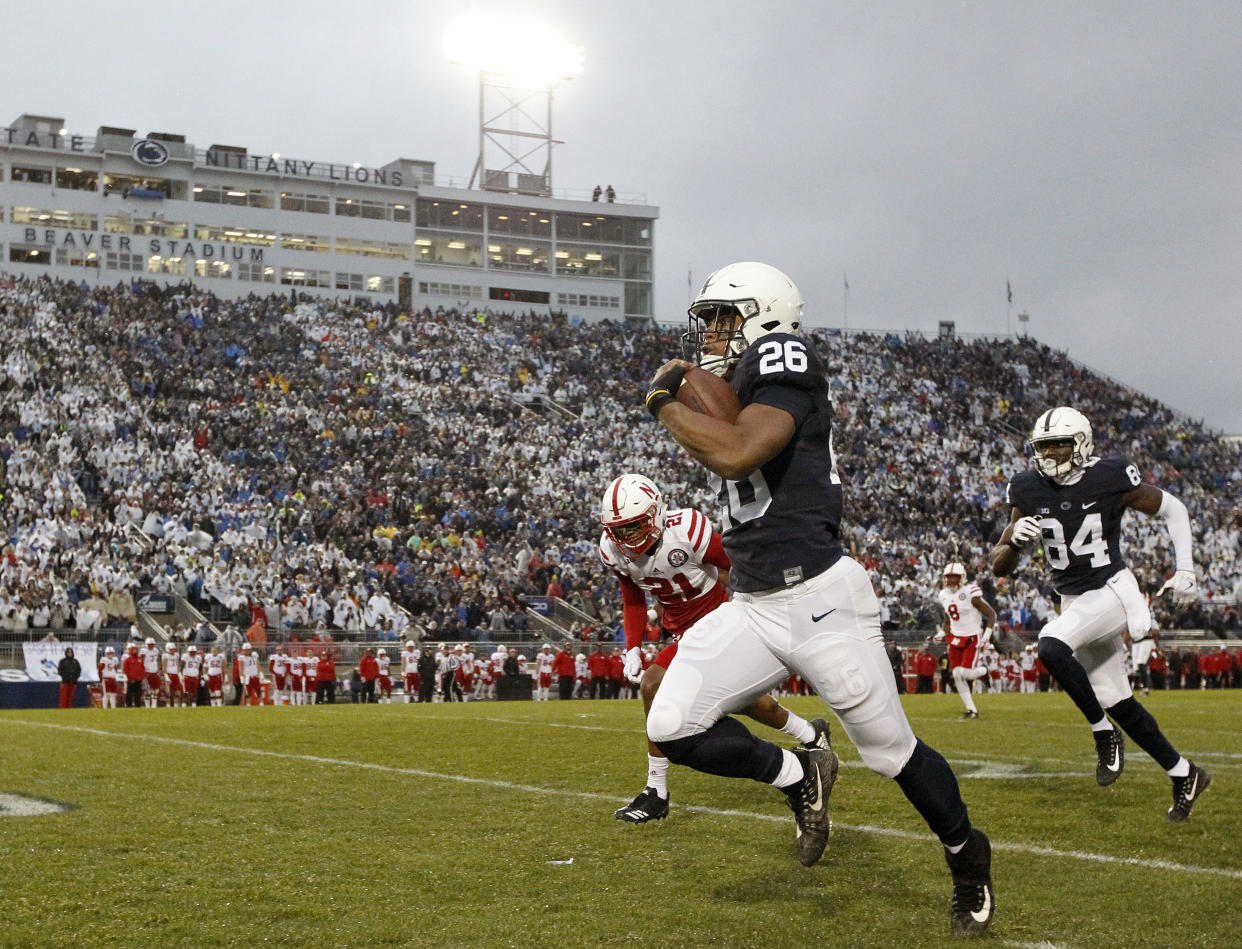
x,y
679,560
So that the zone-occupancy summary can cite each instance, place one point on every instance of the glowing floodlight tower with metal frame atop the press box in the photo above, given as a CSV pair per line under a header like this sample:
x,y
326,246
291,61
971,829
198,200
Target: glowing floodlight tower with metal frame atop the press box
x,y
519,65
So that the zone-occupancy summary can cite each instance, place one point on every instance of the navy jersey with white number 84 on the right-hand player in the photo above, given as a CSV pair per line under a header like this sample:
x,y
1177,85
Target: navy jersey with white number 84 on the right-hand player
x,y
1082,522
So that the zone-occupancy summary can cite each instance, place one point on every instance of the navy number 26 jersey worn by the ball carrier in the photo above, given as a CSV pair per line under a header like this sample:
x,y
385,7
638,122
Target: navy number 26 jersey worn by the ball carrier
x,y
782,525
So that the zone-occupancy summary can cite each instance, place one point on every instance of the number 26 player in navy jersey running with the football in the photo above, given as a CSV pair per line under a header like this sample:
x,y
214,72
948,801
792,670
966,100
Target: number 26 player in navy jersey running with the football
x,y
799,603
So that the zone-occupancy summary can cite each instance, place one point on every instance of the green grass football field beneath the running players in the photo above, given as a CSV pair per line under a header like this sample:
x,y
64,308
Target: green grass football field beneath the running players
x,y
491,825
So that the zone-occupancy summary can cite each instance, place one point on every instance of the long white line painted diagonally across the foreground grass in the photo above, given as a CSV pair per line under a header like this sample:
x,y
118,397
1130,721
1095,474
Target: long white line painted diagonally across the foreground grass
x,y
1159,865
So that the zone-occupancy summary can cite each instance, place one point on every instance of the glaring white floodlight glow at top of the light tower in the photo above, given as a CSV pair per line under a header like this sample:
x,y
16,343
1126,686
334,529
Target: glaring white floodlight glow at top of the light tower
x,y
522,53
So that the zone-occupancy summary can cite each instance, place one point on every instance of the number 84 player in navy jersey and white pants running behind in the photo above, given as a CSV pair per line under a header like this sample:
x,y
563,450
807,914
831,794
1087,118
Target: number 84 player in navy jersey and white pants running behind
x,y
1072,502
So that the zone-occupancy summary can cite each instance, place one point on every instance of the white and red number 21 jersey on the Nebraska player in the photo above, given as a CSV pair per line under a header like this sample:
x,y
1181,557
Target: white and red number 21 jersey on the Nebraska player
x,y
682,573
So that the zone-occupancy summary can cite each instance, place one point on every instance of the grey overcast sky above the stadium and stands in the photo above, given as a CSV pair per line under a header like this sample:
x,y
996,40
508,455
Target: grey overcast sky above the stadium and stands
x,y
1089,153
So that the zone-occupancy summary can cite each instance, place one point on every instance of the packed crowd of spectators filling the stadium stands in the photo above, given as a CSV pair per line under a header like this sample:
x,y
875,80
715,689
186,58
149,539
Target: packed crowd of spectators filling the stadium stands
x,y
340,469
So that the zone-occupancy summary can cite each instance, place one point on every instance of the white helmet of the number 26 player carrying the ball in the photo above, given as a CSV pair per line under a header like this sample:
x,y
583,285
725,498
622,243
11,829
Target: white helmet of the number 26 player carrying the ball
x,y
766,299
